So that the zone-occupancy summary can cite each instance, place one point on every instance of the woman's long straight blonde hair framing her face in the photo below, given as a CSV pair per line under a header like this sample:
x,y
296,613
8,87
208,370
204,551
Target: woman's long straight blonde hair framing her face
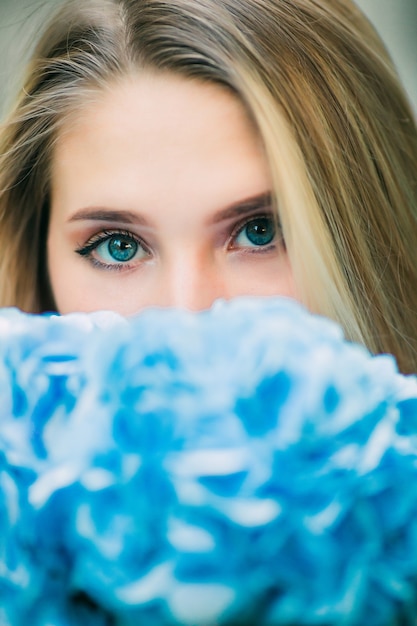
x,y
336,126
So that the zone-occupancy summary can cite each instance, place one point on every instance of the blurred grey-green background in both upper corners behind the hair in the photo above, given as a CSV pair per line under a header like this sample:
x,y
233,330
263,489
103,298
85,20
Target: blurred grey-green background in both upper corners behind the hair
x,y
396,21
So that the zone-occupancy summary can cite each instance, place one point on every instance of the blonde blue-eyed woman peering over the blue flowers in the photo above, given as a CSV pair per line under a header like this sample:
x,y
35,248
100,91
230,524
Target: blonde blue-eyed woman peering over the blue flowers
x,y
176,152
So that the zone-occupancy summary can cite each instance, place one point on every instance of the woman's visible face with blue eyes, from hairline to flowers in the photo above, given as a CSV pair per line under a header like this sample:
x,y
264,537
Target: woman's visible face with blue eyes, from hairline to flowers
x,y
161,196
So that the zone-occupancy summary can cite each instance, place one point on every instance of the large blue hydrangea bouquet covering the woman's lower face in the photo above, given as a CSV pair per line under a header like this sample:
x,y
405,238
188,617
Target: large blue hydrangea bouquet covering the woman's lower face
x,y
244,465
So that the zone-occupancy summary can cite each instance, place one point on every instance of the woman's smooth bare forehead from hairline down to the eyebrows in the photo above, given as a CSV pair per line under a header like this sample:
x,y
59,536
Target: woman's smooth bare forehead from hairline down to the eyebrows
x,y
159,134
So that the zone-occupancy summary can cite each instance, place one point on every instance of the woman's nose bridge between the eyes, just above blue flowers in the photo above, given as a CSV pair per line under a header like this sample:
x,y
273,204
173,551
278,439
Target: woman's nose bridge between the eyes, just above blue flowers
x,y
193,281
